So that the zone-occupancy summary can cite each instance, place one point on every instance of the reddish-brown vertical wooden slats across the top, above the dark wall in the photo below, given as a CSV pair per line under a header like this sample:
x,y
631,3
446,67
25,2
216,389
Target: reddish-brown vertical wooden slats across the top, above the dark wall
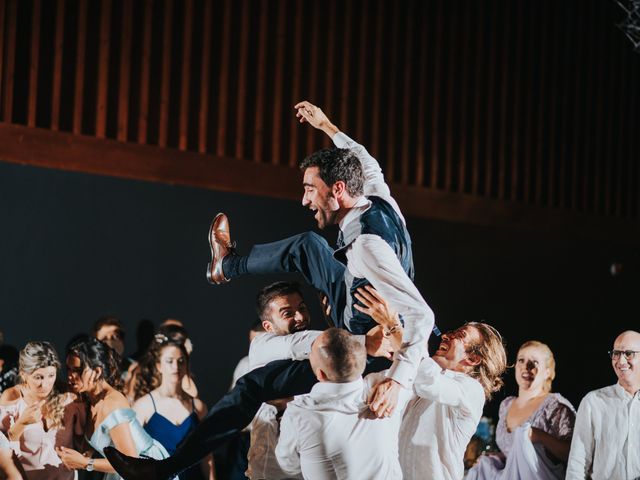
x,y
472,102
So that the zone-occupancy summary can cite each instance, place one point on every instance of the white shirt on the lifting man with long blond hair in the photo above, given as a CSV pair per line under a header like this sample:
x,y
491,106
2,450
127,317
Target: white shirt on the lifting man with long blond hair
x,y
439,422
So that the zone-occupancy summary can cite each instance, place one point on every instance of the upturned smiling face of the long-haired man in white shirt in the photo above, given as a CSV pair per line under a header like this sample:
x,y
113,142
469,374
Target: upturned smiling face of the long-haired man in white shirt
x,y
456,350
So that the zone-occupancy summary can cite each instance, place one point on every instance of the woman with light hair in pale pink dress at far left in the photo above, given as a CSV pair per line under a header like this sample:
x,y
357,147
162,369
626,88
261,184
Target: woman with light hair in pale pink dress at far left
x,y
37,418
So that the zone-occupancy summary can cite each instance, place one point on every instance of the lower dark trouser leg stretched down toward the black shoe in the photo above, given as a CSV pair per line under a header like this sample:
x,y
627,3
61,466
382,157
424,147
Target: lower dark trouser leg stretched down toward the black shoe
x,y
279,379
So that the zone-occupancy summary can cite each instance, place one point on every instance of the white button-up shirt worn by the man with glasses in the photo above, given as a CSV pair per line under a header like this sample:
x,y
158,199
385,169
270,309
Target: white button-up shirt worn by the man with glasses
x,y
606,436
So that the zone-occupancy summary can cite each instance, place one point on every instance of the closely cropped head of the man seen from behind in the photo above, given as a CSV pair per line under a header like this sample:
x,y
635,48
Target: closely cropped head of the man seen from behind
x,y
347,356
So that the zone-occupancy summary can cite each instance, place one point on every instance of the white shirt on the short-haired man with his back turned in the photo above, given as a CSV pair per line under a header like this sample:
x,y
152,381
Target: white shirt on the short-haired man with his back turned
x,y
330,434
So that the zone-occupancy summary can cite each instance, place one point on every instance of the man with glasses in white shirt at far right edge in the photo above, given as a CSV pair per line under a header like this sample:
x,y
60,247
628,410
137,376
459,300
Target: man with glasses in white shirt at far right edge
x,y
606,438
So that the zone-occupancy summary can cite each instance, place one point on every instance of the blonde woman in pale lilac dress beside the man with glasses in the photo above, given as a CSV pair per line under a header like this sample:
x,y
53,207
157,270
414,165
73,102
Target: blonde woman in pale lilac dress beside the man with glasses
x,y
534,428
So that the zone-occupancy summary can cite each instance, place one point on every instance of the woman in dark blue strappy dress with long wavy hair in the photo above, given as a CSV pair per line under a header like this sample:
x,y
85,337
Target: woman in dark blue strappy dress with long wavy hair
x,y
167,412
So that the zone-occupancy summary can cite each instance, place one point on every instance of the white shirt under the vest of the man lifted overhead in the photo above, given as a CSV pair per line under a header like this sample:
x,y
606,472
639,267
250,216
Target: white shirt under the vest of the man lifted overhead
x,y
370,257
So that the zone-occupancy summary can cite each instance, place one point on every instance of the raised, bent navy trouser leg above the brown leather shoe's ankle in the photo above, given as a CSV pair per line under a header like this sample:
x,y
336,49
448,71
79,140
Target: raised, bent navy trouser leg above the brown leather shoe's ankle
x,y
307,253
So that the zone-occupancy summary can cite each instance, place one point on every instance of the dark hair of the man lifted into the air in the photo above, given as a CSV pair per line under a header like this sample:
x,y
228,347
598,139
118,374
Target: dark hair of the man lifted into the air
x,y
337,164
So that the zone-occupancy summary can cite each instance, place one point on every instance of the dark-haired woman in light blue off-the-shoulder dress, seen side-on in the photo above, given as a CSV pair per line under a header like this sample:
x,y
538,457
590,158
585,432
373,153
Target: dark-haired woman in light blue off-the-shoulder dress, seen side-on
x,y
93,372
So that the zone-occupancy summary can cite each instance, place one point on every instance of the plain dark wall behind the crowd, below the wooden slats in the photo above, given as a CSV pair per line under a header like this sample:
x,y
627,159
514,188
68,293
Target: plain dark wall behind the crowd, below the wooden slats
x,y
76,246
